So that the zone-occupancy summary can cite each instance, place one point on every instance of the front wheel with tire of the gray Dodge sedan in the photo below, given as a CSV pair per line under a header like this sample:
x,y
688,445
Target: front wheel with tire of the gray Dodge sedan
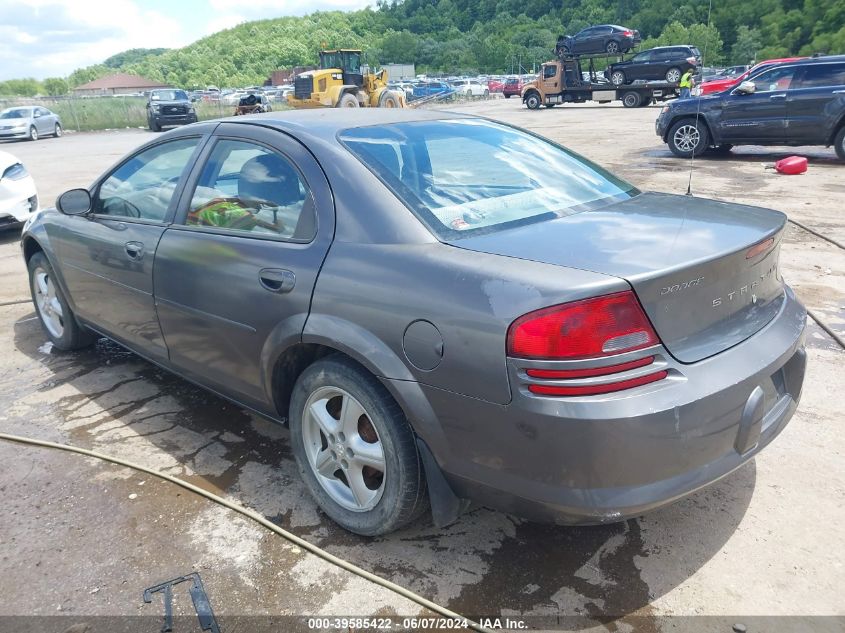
x,y
57,319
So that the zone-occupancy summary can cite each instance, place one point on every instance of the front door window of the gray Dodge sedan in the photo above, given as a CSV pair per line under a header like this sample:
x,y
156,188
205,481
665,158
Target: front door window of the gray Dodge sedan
x,y
143,186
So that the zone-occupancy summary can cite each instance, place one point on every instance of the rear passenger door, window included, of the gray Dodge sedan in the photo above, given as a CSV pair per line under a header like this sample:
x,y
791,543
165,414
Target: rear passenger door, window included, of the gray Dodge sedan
x,y
234,274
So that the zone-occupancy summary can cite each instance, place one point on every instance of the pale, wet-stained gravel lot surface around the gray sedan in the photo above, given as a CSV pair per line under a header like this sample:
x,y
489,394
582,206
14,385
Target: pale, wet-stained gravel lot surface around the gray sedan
x,y
81,538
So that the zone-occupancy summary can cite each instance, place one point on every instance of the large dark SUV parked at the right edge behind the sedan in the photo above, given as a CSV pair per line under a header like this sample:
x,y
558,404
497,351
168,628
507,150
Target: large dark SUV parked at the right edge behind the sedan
x,y
793,103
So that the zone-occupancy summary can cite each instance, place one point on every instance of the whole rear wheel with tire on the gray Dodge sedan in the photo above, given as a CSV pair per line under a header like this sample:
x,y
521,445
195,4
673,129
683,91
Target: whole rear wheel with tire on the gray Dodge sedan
x,y
355,450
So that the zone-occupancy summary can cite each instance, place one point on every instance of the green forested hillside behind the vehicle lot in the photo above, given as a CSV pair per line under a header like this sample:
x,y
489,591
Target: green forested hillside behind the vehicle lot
x,y
488,36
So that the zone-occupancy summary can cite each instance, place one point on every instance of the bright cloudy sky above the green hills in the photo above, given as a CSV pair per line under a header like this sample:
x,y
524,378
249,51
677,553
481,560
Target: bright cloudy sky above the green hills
x,y
51,38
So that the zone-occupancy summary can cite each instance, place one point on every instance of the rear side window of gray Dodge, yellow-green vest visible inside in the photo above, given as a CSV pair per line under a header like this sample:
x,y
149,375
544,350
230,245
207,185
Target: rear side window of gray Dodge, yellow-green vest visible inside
x,y
249,188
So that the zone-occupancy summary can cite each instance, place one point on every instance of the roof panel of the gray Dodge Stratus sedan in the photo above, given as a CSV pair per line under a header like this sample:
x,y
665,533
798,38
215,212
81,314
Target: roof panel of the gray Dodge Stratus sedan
x,y
325,123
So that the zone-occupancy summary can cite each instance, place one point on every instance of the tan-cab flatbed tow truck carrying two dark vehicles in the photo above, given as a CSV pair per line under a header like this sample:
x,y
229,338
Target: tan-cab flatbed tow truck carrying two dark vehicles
x,y
564,81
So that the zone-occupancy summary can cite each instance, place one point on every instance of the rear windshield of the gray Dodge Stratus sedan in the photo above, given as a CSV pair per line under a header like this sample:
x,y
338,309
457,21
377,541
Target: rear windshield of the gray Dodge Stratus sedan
x,y
463,177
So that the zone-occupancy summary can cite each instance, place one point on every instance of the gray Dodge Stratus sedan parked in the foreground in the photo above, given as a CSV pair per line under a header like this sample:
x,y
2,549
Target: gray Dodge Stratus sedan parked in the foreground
x,y
443,308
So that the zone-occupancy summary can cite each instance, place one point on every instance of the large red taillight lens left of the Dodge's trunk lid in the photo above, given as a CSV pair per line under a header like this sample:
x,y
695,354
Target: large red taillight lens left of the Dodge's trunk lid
x,y
591,328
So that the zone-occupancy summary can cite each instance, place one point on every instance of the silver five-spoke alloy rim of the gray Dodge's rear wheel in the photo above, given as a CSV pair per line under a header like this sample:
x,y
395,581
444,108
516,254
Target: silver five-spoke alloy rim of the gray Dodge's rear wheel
x,y
344,449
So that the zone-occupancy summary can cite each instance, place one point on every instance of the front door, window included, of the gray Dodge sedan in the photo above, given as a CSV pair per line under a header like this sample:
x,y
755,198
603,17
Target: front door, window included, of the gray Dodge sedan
x,y
106,257
